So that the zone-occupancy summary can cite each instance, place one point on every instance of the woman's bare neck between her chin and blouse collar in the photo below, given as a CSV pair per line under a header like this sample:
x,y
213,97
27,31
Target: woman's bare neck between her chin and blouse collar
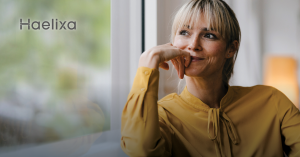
x,y
208,90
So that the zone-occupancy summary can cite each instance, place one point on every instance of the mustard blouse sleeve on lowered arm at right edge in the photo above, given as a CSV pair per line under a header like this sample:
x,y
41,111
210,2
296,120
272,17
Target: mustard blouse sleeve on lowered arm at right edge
x,y
289,117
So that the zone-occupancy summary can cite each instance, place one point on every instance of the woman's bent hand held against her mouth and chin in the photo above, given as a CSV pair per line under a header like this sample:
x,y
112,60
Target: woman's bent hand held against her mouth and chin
x,y
159,55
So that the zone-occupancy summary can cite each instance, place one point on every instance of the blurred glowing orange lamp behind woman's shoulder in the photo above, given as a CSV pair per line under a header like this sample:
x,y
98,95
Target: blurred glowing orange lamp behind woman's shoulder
x,y
281,73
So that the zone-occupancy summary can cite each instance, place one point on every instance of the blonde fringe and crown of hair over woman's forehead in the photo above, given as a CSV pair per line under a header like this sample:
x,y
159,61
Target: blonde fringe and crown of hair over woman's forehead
x,y
215,13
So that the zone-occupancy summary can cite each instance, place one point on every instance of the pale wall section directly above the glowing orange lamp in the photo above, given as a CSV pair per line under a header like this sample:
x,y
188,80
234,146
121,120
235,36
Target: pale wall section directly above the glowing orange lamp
x,y
281,28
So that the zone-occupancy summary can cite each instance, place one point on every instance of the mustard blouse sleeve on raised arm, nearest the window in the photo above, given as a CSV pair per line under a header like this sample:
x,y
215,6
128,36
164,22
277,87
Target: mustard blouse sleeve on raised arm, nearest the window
x,y
143,132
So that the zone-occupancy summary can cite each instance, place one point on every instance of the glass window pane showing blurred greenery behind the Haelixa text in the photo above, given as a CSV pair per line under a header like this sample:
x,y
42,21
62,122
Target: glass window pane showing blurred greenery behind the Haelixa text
x,y
55,83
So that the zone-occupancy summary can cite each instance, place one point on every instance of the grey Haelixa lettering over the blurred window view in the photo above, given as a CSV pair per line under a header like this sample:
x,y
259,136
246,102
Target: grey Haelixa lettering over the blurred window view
x,y
54,25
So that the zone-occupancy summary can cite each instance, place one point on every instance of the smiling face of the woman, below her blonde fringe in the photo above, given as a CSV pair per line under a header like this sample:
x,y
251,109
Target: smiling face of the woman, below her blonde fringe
x,y
206,47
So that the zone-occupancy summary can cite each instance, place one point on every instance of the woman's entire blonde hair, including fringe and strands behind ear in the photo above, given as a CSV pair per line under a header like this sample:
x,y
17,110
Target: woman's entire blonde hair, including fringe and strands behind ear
x,y
221,19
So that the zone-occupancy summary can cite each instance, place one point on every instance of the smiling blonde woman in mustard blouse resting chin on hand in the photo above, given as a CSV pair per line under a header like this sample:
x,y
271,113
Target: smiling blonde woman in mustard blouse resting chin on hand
x,y
209,118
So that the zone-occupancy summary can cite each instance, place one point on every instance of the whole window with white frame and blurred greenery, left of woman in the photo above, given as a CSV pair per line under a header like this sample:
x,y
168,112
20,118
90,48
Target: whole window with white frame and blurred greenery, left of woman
x,y
60,70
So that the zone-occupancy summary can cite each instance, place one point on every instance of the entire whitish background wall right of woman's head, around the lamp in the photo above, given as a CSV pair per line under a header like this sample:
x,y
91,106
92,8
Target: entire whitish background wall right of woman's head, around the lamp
x,y
269,27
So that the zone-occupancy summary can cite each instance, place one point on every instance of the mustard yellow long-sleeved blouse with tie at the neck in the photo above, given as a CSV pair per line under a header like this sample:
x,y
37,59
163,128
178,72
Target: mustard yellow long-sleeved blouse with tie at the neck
x,y
255,121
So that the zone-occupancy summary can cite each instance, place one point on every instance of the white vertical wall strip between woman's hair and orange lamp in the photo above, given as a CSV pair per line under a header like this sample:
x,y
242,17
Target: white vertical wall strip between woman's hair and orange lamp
x,y
247,70
